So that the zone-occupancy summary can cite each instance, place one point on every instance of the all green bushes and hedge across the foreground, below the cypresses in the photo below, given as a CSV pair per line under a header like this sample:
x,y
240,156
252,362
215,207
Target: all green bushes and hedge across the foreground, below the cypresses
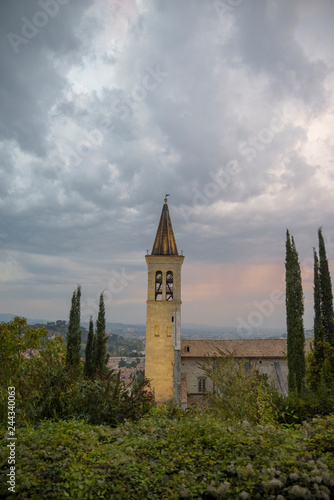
x,y
246,445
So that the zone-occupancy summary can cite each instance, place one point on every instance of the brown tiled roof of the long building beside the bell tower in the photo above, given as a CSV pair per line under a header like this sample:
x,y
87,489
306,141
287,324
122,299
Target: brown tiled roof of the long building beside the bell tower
x,y
248,348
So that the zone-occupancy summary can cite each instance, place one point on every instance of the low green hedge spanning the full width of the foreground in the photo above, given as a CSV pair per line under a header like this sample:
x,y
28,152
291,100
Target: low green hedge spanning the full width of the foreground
x,y
190,456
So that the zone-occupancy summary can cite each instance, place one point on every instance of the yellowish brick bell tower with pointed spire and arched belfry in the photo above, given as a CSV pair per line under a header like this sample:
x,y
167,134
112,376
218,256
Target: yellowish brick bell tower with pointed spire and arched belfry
x,y
163,316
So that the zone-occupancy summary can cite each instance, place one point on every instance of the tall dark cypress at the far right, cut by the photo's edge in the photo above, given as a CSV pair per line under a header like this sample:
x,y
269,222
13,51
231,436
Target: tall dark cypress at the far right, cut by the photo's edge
x,y
326,293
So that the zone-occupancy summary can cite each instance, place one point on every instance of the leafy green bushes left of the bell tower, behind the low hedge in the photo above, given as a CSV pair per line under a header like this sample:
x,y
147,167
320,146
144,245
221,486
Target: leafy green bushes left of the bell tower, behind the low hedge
x,y
46,388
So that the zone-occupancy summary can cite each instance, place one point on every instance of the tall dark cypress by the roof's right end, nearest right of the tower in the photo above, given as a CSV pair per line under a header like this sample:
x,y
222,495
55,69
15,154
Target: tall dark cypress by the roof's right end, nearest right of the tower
x,y
294,318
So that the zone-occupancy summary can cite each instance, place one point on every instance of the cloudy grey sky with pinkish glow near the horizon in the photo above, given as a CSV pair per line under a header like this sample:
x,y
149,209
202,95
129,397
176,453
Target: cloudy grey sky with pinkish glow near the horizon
x,y
106,105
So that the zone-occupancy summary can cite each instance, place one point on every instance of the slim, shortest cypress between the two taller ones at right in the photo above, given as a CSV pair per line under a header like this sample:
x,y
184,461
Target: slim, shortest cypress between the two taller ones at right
x,y
318,320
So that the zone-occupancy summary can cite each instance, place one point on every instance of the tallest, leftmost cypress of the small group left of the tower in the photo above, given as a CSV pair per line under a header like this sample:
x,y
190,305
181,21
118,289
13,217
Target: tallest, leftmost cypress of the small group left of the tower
x,y
74,331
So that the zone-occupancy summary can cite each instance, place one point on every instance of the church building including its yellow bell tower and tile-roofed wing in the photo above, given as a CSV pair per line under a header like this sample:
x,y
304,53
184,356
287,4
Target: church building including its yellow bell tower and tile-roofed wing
x,y
172,364
